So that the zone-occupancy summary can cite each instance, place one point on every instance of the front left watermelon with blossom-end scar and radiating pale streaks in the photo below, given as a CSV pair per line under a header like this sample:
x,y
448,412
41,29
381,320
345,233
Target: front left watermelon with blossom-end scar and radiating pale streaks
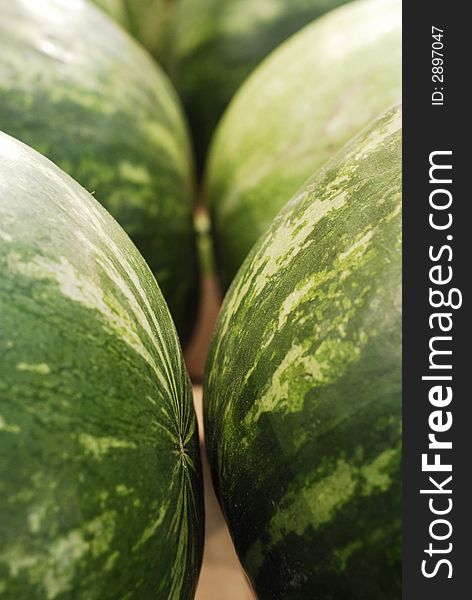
x,y
100,476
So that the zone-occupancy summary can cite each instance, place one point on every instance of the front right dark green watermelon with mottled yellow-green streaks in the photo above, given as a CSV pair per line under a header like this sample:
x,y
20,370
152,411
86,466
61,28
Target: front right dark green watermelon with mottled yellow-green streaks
x,y
302,396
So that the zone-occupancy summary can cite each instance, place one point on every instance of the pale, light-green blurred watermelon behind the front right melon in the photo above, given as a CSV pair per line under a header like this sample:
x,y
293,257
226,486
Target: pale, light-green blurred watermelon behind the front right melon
x,y
302,104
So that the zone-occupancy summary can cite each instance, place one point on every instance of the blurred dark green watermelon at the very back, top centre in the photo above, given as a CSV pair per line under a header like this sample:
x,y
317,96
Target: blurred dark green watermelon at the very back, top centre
x,y
217,43
